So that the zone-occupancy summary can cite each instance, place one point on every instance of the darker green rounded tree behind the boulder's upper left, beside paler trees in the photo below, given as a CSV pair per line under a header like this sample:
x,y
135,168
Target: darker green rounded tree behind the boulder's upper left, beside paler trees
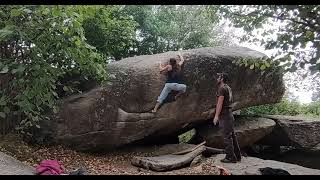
x,y
110,31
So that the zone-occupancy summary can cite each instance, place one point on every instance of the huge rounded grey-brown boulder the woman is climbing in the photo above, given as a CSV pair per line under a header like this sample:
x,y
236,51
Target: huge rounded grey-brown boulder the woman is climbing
x,y
119,113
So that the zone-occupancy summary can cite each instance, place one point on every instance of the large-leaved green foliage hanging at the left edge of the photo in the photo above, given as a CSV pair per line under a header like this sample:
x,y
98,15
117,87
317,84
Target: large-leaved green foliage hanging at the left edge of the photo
x,y
40,46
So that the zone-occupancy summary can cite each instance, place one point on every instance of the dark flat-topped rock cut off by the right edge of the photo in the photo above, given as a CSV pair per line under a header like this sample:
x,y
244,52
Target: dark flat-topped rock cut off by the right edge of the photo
x,y
299,132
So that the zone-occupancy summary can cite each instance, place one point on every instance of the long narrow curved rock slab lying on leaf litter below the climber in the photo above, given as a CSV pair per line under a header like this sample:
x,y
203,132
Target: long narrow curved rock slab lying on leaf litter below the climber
x,y
166,162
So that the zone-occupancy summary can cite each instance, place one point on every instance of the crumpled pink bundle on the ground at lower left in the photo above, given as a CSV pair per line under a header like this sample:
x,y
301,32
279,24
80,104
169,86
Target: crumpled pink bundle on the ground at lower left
x,y
49,167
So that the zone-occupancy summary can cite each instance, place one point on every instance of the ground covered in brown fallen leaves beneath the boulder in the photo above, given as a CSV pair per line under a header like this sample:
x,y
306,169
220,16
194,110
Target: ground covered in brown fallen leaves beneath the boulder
x,y
111,163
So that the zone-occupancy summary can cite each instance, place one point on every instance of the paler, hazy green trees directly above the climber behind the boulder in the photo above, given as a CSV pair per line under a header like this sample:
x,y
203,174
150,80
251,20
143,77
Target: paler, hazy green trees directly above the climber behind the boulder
x,y
171,28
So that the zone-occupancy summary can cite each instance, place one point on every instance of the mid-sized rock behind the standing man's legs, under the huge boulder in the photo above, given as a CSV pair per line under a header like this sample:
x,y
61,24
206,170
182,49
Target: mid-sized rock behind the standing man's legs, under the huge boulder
x,y
248,131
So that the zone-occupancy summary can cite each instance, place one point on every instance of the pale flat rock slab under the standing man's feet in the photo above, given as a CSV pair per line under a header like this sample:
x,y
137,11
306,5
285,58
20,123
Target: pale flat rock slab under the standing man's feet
x,y
251,165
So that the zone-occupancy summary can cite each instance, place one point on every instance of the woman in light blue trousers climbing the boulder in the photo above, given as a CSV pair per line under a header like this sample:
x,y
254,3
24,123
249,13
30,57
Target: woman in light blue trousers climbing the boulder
x,y
173,82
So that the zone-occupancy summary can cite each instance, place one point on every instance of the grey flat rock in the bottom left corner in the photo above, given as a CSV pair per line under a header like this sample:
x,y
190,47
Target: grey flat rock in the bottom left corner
x,y
11,166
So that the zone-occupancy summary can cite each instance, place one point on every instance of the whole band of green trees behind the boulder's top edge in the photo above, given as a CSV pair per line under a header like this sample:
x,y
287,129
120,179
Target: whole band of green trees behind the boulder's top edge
x,y
123,31
